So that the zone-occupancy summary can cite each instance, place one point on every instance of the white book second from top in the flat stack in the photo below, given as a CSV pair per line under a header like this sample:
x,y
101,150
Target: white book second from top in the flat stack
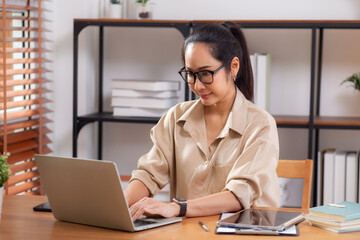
x,y
139,93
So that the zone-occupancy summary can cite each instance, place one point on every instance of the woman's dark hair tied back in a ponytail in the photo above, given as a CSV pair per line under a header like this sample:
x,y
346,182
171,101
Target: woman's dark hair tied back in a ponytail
x,y
226,40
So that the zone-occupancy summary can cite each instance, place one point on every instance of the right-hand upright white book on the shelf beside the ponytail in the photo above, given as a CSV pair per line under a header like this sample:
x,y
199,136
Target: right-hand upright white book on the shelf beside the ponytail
x,y
262,81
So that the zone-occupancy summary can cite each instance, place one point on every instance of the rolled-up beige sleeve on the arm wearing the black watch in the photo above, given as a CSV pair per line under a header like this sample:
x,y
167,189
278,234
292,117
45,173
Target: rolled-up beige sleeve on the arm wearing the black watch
x,y
253,177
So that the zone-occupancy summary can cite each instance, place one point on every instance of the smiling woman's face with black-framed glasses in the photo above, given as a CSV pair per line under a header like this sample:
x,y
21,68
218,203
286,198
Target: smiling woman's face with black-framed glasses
x,y
222,89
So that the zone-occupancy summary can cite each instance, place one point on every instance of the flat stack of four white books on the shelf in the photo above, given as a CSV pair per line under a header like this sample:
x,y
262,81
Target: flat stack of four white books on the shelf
x,y
143,98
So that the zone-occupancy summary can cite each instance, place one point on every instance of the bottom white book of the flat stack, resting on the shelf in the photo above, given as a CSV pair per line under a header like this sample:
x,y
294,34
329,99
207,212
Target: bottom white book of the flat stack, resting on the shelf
x,y
138,112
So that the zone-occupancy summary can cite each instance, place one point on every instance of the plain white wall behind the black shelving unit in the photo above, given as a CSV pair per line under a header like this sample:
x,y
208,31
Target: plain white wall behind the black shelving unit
x,y
154,53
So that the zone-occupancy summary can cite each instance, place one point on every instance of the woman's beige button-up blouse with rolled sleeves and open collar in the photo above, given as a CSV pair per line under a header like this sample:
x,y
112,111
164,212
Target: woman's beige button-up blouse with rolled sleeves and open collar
x,y
243,158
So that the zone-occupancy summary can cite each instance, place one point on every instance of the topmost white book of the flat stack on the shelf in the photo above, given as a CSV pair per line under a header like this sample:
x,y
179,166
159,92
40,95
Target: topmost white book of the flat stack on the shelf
x,y
146,85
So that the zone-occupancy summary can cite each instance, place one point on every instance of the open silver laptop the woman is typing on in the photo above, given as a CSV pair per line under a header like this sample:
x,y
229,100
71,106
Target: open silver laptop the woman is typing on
x,y
89,192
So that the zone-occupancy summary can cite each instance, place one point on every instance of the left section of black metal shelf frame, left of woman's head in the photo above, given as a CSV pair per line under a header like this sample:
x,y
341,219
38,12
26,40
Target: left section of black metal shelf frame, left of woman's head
x,y
184,27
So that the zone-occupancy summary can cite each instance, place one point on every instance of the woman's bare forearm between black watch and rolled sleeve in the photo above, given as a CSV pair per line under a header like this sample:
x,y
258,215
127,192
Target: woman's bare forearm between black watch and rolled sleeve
x,y
212,204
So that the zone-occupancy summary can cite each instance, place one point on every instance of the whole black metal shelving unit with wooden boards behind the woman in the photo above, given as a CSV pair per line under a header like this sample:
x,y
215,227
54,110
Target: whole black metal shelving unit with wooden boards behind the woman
x,y
310,122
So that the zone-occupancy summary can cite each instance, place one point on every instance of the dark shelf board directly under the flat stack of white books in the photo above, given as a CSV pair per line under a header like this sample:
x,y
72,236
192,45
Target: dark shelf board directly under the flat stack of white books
x,y
109,117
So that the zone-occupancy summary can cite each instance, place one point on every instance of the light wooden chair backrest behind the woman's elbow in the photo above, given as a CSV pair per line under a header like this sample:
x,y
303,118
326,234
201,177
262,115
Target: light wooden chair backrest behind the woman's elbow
x,y
298,169
